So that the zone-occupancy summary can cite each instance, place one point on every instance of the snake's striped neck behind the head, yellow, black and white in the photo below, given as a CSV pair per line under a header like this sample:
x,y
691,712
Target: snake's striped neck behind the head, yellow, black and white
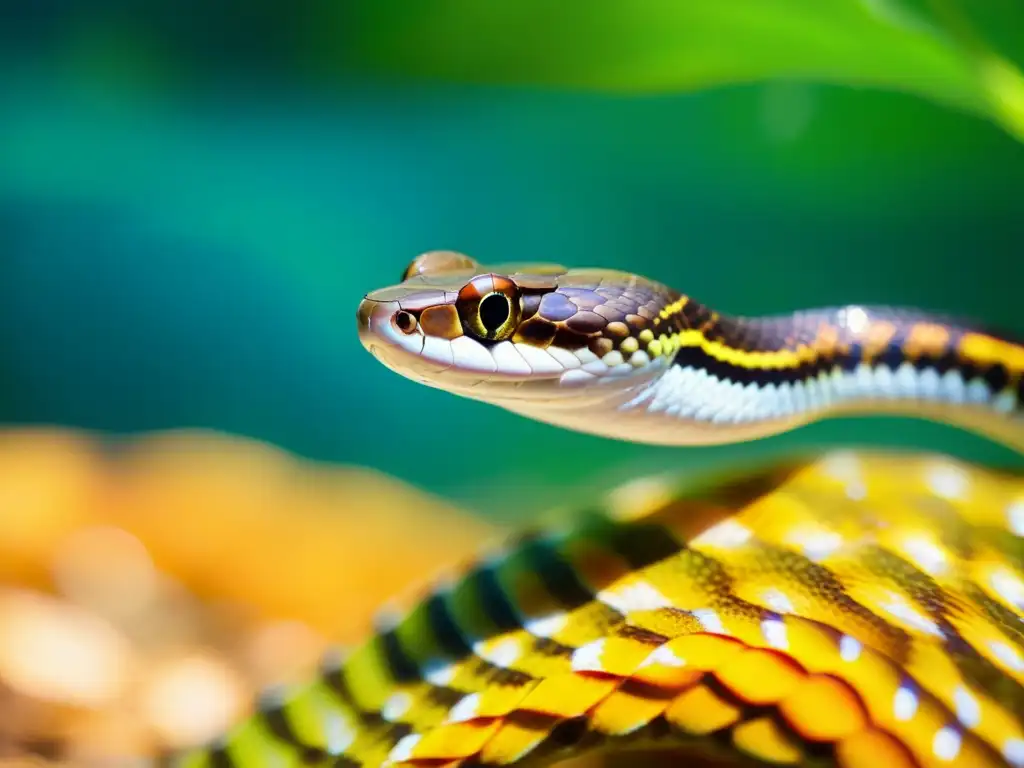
x,y
736,378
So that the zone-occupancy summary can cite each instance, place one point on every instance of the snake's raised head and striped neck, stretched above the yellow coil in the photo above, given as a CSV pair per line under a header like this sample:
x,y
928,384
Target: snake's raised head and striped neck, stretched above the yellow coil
x,y
623,357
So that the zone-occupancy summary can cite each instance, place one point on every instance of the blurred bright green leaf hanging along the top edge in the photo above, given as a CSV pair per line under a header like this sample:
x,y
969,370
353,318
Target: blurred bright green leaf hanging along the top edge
x,y
928,48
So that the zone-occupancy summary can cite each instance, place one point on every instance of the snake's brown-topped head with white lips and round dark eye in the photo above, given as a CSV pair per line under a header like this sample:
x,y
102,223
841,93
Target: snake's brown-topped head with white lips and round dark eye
x,y
517,333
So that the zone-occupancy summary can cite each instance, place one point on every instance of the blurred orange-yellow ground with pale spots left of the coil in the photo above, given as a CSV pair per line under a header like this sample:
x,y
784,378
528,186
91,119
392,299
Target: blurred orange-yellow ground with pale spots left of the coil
x,y
149,592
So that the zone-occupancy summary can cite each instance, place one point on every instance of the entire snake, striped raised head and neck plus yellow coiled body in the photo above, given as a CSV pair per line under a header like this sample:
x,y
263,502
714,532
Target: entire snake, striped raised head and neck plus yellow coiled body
x,y
856,611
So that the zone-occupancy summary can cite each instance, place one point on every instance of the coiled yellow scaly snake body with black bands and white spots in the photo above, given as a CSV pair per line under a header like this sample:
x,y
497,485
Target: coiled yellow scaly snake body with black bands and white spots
x,y
857,612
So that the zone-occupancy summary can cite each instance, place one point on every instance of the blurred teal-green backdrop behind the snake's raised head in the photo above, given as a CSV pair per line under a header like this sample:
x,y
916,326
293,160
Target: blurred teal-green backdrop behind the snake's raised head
x,y
192,205
